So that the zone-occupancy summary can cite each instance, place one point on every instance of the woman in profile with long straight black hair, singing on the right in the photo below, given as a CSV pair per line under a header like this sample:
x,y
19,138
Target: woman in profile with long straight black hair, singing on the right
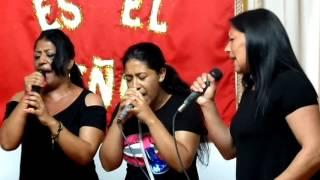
x,y
275,131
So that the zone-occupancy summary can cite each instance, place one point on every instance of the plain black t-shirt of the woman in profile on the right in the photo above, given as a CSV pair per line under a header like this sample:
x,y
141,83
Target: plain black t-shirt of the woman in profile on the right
x,y
265,145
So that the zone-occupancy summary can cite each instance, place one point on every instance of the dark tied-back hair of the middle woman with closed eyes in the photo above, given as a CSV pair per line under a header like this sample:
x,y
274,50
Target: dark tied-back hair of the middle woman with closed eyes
x,y
151,55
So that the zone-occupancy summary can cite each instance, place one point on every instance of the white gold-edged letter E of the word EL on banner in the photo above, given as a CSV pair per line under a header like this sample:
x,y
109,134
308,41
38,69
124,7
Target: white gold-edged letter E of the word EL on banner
x,y
125,14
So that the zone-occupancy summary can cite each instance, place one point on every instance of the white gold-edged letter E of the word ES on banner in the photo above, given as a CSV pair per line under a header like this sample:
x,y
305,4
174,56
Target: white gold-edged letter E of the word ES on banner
x,y
41,13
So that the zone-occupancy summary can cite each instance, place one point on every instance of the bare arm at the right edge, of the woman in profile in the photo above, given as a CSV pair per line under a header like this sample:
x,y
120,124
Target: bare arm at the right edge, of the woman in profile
x,y
305,124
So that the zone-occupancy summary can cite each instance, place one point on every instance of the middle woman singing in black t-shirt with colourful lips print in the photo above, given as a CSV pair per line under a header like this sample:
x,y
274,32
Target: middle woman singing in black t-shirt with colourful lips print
x,y
155,91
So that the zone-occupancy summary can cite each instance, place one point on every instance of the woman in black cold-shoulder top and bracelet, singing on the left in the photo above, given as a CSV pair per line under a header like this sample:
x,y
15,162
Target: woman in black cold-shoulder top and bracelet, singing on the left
x,y
58,122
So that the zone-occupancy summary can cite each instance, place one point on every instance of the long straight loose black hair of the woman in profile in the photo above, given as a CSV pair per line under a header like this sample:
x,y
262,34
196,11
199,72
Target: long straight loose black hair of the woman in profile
x,y
269,51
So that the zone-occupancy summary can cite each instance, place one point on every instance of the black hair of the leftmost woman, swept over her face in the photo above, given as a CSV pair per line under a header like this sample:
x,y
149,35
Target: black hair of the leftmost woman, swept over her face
x,y
64,54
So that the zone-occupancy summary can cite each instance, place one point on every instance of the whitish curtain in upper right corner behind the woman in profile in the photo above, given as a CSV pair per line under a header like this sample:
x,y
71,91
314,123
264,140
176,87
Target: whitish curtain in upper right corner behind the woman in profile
x,y
302,21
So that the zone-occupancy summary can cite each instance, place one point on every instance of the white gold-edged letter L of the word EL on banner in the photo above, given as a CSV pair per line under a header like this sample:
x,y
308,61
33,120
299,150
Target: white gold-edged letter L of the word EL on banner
x,y
154,24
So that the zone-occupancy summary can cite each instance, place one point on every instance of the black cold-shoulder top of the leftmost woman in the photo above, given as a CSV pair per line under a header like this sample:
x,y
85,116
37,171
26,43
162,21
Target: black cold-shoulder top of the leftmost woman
x,y
40,160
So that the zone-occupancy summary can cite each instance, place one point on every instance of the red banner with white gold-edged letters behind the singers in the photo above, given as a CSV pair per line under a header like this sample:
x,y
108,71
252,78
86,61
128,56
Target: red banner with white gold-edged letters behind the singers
x,y
191,34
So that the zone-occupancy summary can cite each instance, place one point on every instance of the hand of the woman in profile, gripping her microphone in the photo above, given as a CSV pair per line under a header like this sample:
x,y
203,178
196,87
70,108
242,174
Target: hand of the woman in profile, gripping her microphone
x,y
199,85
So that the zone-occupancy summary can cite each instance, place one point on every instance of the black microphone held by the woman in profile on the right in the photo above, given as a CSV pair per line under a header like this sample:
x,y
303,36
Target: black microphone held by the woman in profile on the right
x,y
216,73
